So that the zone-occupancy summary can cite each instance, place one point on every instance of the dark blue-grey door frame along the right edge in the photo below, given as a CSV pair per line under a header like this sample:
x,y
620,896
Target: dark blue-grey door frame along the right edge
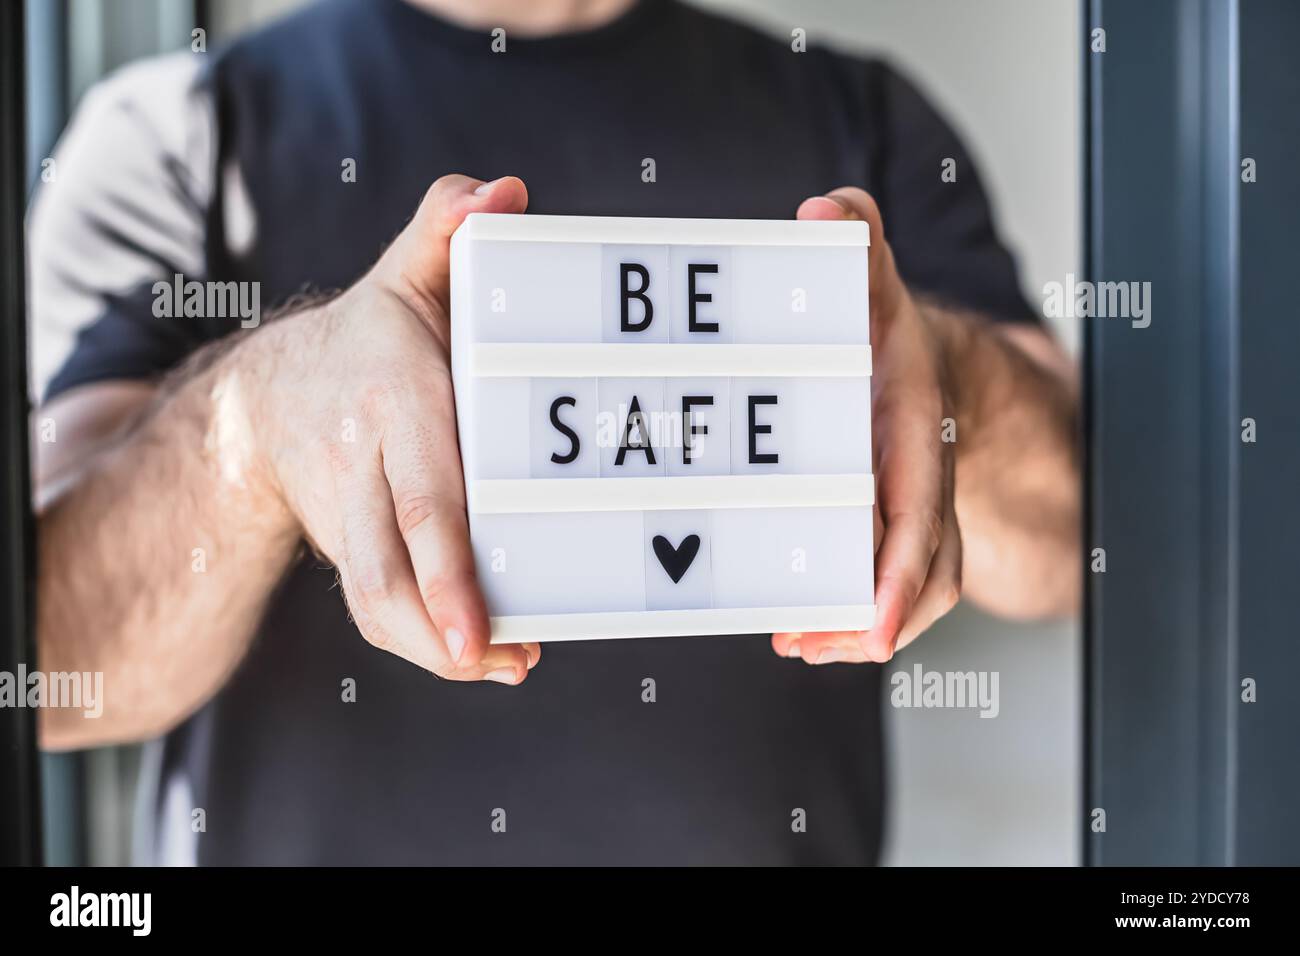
x,y
1198,525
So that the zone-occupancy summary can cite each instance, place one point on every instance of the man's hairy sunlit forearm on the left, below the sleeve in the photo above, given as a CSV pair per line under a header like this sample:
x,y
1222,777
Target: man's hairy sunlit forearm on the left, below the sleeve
x,y
157,557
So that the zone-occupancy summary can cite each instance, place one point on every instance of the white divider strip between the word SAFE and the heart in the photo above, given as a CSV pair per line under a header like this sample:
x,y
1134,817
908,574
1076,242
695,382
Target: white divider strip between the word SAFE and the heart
x,y
532,496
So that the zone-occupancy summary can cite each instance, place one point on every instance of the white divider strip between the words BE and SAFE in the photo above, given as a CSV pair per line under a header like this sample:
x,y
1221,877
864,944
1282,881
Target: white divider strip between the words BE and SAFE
x,y
653,361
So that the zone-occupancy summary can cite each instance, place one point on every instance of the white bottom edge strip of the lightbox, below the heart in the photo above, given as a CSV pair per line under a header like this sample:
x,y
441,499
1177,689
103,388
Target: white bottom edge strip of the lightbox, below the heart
x,y
688,624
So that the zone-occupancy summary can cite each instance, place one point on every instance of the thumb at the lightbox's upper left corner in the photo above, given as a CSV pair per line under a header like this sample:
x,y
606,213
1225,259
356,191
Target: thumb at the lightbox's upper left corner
x,y
419,259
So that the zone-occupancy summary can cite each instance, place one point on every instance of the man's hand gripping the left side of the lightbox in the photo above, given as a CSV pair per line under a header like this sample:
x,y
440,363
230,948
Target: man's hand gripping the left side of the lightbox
x,y
345,414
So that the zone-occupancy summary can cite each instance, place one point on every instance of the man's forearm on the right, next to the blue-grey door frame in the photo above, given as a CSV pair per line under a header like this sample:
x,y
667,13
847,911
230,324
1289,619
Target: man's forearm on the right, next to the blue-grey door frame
x,y
1017,485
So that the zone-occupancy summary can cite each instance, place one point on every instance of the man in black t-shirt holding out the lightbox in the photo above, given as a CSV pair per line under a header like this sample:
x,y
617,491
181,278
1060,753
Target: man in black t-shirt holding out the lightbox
x,y
201,494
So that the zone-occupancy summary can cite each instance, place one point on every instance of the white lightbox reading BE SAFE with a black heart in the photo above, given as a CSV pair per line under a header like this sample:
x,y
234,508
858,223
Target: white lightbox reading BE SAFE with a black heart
x,y
665,425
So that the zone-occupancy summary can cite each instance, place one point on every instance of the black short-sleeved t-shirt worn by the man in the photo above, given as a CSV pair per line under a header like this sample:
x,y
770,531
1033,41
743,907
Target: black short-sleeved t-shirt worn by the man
x,y
231,167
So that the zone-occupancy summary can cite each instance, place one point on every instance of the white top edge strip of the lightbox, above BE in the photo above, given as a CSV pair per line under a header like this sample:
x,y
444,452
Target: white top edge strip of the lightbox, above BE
x,y
694,232
